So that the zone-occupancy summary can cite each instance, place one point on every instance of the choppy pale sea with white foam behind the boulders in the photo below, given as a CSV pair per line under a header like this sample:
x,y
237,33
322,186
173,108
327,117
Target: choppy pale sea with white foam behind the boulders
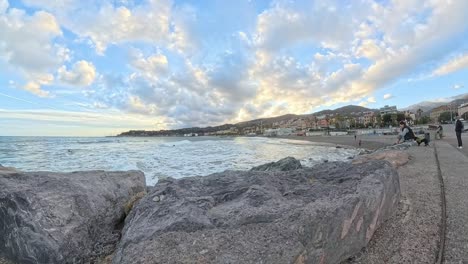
x,y
160,157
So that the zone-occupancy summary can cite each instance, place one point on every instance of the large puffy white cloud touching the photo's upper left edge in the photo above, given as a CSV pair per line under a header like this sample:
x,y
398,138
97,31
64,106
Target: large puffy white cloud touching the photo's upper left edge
x,y
27,46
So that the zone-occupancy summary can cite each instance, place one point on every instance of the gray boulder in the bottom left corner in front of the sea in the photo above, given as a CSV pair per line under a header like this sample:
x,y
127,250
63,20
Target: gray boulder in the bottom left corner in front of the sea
x,y
73,217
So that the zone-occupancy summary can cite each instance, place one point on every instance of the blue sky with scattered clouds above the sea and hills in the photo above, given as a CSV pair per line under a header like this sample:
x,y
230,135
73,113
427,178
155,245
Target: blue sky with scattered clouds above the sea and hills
x,y
98,68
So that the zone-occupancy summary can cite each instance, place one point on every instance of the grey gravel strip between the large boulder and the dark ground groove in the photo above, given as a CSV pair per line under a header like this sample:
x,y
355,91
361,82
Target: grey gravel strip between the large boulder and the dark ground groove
x,y
412,235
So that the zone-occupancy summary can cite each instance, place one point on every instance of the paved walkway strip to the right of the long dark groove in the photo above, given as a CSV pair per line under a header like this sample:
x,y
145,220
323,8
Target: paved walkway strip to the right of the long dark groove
x,y
454,168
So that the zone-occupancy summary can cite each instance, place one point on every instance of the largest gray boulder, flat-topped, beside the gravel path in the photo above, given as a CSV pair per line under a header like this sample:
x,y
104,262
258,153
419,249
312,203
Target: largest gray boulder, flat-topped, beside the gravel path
x,y
323,214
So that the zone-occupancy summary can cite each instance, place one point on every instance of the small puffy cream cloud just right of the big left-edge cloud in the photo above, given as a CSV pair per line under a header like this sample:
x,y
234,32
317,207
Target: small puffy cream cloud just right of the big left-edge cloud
x,y
83,73
